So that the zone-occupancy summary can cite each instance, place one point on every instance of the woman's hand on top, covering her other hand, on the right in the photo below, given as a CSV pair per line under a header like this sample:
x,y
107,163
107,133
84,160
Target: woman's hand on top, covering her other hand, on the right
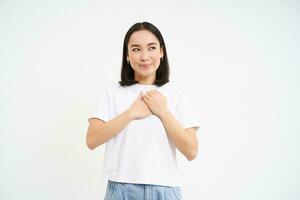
x,y
156,102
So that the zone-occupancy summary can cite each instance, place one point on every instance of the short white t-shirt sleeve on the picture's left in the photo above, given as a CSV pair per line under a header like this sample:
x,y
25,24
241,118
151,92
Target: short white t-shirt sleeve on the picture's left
x,y
101,107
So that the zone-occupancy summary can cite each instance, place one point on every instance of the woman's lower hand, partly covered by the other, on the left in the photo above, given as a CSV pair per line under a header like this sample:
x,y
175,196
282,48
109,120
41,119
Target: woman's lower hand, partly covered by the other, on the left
x,y
139,108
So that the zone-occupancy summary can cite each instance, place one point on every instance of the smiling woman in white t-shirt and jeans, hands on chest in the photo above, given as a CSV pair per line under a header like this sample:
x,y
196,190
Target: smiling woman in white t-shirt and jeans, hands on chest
x,y
143,119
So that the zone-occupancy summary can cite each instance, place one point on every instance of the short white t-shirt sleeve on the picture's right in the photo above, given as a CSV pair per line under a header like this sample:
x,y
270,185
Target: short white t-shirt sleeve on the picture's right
x,y
185,114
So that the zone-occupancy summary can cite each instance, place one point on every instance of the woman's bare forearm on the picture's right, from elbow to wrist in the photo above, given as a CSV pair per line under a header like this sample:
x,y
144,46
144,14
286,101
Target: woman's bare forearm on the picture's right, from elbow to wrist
x,y
186,144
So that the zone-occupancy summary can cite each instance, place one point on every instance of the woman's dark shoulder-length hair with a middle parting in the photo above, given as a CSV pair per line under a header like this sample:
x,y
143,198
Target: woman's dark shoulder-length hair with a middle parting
x,y
162,72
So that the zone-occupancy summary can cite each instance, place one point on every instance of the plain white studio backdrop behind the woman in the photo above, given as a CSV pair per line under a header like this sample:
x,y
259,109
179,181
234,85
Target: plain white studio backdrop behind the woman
x,y
238,61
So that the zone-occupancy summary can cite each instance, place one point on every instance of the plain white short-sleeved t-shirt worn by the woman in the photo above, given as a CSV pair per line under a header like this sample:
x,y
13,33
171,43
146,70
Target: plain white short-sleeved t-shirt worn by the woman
x,y
141,152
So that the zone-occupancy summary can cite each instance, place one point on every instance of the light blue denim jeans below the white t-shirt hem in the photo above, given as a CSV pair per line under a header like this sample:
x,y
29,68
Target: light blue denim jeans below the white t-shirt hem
x,y
129,191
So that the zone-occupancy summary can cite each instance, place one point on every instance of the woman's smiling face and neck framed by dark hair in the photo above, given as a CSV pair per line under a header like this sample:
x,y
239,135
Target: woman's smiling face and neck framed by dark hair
x,y
144,54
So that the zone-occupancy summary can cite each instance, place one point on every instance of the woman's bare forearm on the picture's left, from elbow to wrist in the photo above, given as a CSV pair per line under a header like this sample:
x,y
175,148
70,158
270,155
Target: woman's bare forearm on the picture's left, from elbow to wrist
x,y
111,128
